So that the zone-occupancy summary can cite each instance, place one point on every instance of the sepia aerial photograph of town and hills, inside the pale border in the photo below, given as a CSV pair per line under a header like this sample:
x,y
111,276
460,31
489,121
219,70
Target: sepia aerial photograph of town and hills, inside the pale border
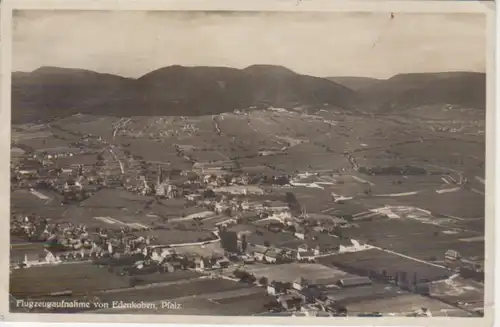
x,y
248,163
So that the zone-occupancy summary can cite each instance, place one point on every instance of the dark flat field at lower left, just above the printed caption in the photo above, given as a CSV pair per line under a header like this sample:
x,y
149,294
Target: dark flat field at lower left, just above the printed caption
x,y
80,278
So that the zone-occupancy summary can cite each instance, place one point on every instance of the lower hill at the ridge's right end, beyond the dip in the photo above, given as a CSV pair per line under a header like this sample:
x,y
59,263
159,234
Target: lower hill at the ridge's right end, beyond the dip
x,y
406,91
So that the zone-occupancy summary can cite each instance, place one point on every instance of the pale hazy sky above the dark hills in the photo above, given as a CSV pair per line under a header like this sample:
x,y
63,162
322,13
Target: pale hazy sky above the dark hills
x,y
133,43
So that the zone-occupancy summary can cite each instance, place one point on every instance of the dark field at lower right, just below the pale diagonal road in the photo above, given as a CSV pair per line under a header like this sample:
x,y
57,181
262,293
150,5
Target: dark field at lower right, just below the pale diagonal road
x,y
380,261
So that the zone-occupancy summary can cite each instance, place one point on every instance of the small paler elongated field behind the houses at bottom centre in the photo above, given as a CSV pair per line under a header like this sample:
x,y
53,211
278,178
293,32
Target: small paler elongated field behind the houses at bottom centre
x,y
293,271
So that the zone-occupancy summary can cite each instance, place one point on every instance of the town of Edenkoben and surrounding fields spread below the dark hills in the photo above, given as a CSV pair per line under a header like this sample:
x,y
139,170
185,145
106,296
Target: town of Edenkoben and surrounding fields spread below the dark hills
x,y
104,215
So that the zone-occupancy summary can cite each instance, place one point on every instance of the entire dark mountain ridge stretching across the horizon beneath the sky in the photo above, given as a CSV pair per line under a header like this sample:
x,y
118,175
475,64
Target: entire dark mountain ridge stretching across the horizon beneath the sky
x,y
53,92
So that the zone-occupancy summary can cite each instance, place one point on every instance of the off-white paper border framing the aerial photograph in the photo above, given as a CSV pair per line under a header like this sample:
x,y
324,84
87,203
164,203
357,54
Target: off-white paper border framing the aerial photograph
x,y
252,5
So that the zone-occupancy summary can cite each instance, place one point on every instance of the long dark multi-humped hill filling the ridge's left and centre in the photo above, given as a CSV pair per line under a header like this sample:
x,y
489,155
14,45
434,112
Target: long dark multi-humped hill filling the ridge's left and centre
x,y
170,91
